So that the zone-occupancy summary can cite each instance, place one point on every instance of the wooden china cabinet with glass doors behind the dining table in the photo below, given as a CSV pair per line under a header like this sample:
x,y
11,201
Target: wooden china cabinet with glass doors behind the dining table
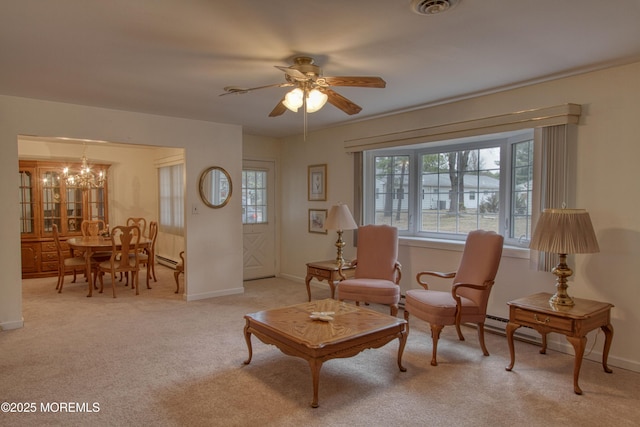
x,y
46,199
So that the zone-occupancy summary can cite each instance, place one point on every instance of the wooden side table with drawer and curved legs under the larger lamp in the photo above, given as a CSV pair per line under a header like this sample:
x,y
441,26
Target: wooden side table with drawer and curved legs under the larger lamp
x,y
574,322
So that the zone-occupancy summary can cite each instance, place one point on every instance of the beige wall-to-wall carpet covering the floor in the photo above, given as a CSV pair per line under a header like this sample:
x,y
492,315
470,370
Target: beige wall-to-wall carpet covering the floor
x,y
157,360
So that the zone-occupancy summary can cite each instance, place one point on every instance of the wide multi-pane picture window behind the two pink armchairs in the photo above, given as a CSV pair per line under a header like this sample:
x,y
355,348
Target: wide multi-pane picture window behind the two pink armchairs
x,y
445,190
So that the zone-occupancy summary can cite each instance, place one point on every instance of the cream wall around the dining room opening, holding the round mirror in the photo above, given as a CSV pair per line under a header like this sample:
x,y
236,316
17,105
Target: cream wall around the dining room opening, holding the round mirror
x,y
213,236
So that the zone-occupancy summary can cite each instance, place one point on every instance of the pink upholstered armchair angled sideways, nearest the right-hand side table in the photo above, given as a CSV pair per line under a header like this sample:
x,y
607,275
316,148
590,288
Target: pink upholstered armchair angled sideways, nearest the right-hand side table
x,y
467,300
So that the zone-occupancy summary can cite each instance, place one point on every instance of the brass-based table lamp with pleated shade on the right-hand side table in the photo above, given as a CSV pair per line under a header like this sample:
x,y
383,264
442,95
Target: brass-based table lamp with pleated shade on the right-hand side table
x,y
564,231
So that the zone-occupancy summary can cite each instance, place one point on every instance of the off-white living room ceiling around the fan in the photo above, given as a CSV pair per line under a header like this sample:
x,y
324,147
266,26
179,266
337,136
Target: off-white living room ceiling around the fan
x,y
174,57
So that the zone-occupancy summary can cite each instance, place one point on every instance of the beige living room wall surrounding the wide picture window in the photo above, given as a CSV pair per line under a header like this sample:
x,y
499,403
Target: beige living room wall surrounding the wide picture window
x,y
608,164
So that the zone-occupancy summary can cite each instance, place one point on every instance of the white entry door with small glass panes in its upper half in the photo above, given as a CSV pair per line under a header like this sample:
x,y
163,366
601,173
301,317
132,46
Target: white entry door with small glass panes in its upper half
x,y
258,219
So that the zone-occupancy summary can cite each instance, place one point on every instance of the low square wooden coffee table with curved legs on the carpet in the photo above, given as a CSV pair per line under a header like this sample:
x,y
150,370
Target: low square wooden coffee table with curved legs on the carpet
x,y
352,330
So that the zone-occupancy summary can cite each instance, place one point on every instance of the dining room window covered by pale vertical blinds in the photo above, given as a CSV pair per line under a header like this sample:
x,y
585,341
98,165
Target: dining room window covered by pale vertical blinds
x,y
171,197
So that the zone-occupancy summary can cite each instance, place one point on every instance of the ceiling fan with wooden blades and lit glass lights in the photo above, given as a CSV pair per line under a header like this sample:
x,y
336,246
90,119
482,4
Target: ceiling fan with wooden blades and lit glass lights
x,y
307,80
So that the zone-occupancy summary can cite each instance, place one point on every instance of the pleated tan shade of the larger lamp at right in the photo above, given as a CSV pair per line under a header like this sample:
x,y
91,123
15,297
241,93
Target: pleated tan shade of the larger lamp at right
x,y
565,231
